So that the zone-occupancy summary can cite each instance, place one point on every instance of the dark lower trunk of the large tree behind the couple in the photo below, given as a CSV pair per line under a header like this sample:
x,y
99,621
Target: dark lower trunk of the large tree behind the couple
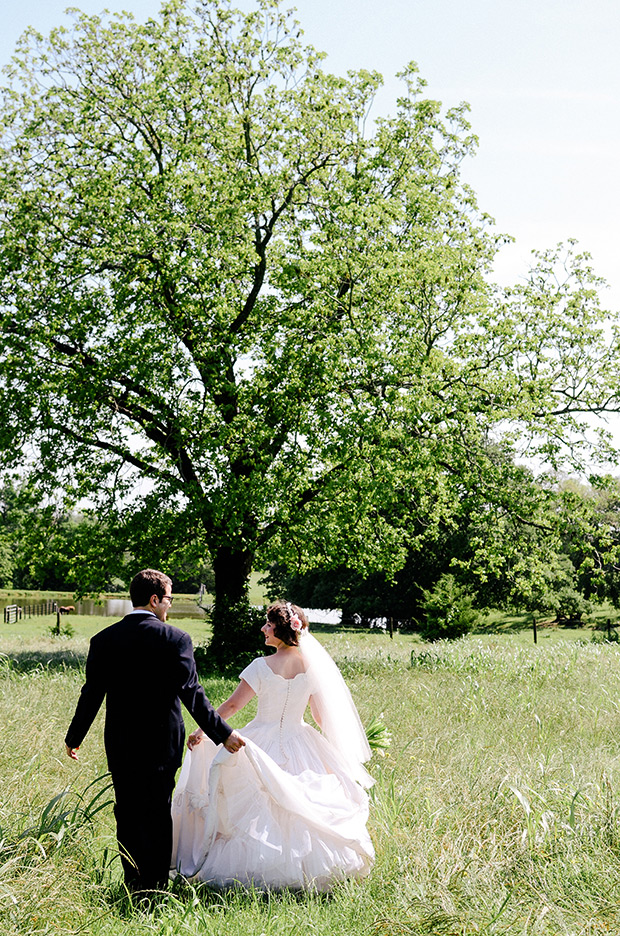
x,y
236,635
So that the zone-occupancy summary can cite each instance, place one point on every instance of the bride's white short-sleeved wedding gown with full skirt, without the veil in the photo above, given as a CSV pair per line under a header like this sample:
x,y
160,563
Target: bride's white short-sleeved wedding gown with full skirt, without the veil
x,y
282,812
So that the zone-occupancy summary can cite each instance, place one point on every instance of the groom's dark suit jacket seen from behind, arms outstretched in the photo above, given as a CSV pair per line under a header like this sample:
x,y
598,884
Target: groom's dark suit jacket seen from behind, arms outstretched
x,y
145,669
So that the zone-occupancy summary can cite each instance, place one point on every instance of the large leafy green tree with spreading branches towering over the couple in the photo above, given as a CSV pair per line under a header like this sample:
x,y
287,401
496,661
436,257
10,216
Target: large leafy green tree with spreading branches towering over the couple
x,y
237,316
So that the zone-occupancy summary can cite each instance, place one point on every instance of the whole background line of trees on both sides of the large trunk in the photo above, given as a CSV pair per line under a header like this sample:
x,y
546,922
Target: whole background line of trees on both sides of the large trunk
x,y
482,559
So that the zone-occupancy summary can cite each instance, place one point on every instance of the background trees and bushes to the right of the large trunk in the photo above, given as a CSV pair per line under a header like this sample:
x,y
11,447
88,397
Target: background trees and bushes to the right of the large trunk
x,y
562,565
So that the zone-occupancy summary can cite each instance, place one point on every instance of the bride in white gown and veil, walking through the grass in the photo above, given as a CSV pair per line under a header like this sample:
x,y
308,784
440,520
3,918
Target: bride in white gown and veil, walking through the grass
x,y
290,809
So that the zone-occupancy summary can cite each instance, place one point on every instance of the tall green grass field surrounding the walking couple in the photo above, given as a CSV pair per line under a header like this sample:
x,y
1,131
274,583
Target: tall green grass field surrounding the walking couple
x,y
495,810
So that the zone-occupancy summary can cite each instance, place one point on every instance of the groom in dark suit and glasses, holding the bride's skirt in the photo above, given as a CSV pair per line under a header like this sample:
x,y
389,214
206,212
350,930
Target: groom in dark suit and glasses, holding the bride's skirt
x,y
145,668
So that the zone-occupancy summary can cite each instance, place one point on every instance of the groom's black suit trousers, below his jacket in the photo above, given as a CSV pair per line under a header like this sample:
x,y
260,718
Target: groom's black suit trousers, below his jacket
x,y
144,826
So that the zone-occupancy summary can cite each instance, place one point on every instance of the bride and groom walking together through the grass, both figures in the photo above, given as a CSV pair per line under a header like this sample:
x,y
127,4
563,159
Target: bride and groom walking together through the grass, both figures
x,y
281,805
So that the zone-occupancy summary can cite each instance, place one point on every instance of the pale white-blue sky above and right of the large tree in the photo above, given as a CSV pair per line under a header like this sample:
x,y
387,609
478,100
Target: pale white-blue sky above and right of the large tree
x,y
542,78
